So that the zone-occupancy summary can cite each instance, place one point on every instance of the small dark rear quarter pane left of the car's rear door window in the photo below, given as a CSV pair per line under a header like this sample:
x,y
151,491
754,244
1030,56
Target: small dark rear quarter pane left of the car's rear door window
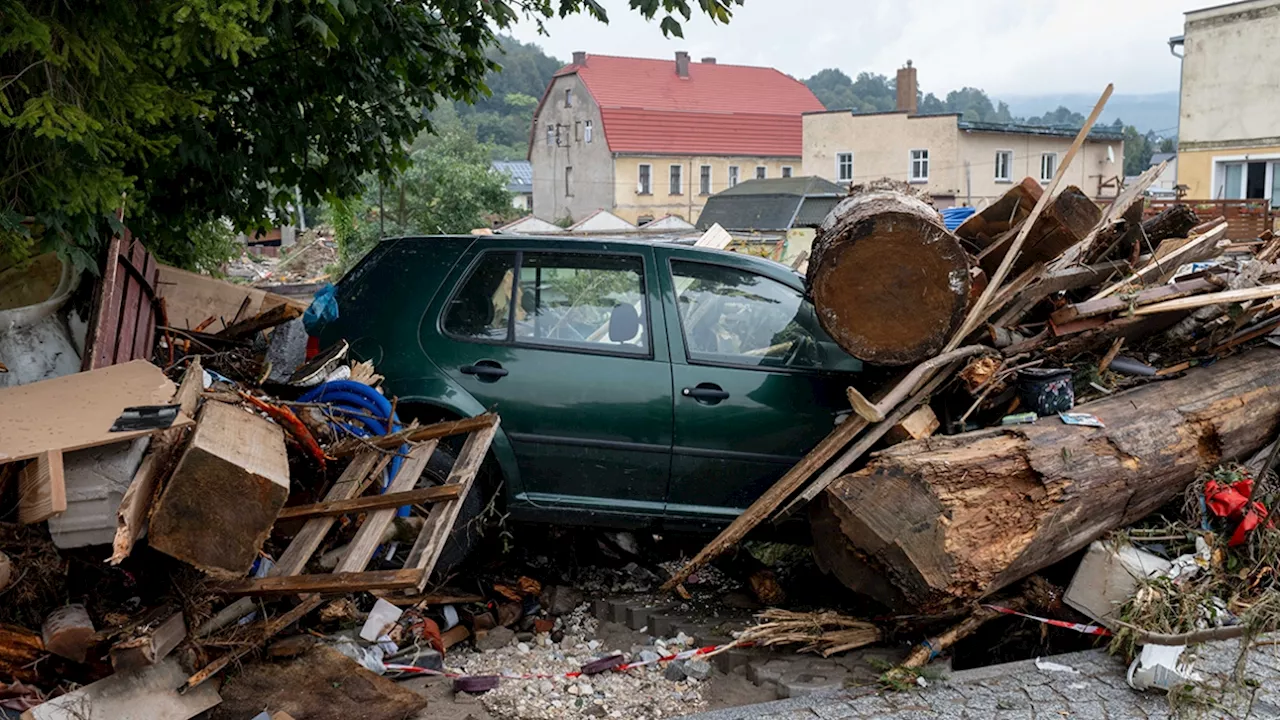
x,y
481,309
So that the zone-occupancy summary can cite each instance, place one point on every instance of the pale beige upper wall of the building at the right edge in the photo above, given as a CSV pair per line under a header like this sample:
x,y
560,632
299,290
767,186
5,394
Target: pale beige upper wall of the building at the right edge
x,y
1231,75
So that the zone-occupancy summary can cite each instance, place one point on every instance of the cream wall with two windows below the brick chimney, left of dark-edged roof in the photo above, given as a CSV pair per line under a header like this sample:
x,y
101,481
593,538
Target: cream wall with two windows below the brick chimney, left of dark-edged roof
x,y
881,145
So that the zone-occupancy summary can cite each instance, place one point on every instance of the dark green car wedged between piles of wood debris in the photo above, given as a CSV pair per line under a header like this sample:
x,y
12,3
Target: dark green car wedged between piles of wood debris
x,y
641,385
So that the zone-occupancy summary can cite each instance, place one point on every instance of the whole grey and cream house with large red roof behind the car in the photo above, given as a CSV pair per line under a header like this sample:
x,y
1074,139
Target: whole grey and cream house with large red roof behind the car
x,y
644,139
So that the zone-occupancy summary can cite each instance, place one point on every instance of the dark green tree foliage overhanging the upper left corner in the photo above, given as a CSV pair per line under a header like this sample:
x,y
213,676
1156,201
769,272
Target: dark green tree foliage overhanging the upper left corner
x,y
193,111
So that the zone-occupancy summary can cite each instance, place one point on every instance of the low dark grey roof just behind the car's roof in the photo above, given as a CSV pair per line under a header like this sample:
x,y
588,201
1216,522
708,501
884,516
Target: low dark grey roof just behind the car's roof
x,y
772,204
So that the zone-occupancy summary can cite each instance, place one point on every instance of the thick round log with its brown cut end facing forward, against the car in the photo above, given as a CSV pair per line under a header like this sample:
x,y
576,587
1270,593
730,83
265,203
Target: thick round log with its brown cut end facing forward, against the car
x,y
890,284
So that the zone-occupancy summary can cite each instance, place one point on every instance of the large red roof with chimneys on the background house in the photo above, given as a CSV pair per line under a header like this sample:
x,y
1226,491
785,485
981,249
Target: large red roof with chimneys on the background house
x,y
717,111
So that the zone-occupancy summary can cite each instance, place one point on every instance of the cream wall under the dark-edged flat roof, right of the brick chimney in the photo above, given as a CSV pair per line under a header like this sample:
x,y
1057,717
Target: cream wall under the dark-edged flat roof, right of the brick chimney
x,y
1087,172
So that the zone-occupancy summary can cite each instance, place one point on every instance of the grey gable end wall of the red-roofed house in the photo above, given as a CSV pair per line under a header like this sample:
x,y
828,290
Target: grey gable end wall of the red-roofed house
x,y
592,185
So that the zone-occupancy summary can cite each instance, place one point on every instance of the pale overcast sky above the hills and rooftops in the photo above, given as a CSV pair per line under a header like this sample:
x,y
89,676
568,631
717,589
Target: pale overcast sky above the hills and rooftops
x,y
1004,47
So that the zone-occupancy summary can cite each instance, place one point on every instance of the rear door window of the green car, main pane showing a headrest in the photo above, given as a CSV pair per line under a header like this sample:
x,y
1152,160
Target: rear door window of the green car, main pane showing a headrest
x,y
587,302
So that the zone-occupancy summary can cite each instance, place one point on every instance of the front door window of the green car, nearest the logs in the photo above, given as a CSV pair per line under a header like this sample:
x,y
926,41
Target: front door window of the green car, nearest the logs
x,y
739,318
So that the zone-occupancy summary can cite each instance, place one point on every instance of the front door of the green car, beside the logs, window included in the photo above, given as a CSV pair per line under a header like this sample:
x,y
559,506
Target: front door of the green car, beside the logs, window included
x,y
757,382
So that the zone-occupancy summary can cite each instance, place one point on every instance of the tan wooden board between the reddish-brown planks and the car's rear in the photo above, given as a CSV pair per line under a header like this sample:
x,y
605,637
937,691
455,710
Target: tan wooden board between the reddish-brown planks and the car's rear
x,y
190,299
